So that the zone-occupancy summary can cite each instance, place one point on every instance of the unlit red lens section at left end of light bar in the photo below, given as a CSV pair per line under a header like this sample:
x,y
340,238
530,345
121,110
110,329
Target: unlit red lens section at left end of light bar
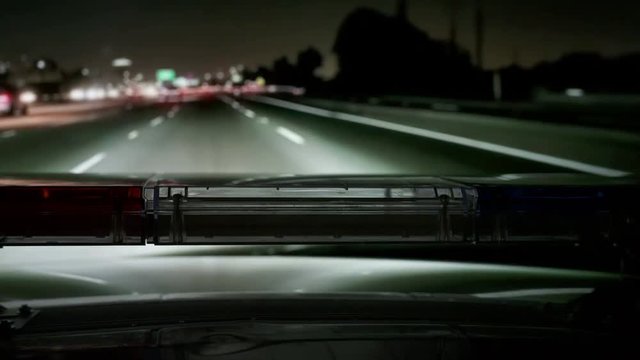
x,y
71,215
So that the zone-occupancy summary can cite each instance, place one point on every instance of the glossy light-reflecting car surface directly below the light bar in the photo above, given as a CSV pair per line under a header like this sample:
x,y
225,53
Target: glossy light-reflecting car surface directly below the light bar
x,y
63,272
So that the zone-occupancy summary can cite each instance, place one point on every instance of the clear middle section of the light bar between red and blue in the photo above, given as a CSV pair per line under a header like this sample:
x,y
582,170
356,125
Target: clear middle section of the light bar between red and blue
x,y
320,214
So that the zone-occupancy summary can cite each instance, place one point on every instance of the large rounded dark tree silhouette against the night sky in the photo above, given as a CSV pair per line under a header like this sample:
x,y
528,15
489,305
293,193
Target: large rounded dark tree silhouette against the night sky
x,y
382,54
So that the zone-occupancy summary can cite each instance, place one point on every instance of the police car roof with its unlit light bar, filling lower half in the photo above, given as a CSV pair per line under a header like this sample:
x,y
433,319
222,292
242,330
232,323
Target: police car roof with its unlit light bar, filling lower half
x,y
321,267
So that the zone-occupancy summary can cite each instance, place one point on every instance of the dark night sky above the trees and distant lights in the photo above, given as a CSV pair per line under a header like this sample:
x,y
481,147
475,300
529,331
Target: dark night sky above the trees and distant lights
x,y
200,35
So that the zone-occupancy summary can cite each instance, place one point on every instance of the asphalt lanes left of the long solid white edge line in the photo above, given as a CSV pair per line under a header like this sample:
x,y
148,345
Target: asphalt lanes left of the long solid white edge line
x,y
227,136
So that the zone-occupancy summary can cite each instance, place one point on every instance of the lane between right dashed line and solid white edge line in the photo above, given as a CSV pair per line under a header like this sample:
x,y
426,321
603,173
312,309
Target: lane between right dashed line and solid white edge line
x,y
393,152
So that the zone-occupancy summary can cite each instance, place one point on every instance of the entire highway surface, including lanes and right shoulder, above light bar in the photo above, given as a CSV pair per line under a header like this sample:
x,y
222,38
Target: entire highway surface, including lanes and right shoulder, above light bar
x,y
245,136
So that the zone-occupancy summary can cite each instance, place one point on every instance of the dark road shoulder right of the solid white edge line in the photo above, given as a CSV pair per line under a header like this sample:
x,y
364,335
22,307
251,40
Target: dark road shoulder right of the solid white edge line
x,y
615,148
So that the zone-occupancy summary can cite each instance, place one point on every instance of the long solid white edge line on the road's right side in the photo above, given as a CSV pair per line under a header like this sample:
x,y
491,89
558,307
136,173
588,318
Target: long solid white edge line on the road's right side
x,y
454,139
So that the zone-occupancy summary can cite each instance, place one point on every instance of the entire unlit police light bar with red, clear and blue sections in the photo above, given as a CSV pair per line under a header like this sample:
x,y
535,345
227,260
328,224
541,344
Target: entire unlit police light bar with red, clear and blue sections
x,y
293,210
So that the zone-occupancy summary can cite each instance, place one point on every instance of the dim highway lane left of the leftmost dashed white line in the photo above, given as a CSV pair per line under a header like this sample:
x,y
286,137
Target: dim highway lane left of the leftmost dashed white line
x,y
61,149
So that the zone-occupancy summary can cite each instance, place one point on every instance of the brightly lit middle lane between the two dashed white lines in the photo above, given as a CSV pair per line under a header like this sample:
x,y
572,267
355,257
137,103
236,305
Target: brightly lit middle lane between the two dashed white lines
x,y
210,137
